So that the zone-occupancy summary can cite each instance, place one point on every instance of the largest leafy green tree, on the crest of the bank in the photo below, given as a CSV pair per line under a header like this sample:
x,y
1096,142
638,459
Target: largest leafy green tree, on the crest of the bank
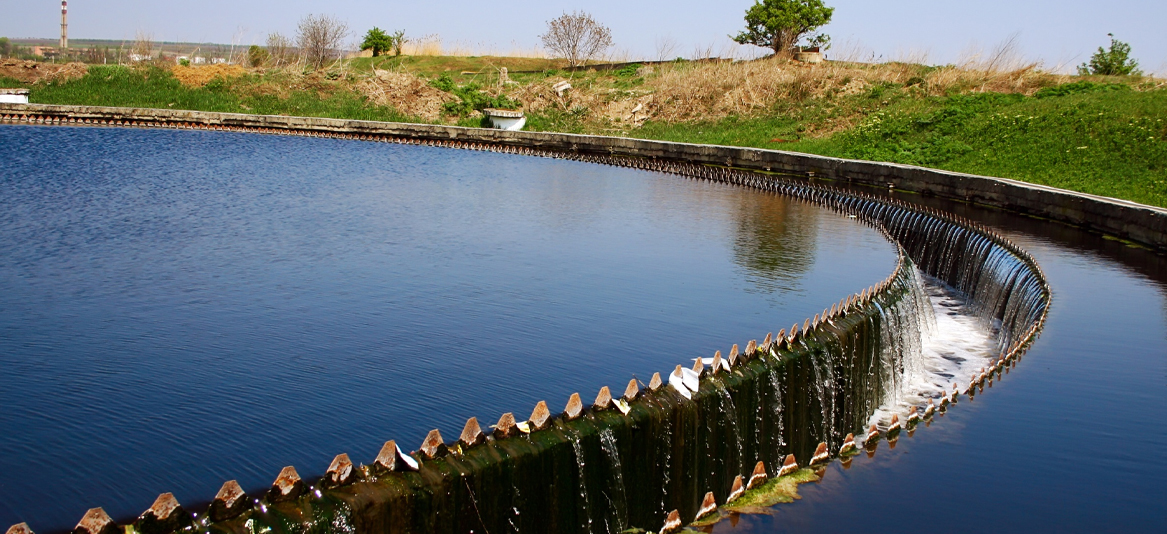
x,y
779,25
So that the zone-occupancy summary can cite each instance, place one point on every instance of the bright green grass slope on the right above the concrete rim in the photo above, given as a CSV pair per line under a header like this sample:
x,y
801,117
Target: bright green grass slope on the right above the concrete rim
x,y
1102,142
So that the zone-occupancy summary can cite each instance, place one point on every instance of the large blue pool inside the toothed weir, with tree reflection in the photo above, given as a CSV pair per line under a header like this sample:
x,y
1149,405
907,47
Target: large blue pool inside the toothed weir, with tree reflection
x,y
184,308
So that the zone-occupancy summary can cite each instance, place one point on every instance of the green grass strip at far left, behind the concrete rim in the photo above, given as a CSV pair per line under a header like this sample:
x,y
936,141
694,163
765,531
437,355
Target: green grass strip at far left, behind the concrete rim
x,y
157,88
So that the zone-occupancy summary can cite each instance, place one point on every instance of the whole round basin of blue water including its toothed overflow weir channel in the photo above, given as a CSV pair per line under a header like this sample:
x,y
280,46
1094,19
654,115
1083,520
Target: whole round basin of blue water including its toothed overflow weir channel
x,y
186,308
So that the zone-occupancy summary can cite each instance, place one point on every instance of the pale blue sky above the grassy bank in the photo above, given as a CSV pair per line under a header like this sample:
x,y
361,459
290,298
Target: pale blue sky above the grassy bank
x,y
1060,34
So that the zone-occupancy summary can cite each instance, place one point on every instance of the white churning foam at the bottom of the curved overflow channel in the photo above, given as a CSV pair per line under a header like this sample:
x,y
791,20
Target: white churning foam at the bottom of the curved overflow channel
x,y
954,347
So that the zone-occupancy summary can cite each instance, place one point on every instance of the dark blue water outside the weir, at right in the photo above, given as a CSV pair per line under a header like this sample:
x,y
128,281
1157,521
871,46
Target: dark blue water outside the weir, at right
x,y
1071,440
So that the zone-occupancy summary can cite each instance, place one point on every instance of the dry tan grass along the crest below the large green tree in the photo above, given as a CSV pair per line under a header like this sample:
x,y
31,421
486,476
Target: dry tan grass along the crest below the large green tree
x,y
716,90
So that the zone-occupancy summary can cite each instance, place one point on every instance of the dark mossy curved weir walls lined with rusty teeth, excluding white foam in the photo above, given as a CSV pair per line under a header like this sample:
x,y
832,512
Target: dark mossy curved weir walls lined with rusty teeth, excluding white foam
x,y
662,454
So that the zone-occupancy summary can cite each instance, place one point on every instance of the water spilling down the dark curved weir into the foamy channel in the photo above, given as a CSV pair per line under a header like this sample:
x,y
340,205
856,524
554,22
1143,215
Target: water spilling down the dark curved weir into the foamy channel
x,y
633,465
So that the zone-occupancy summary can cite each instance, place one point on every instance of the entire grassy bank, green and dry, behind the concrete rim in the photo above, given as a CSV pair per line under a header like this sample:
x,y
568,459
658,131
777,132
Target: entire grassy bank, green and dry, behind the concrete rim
x,y
1100,136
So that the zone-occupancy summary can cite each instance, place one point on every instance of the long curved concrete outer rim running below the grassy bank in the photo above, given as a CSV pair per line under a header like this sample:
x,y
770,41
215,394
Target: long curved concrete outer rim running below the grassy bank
x,y
1138,223
